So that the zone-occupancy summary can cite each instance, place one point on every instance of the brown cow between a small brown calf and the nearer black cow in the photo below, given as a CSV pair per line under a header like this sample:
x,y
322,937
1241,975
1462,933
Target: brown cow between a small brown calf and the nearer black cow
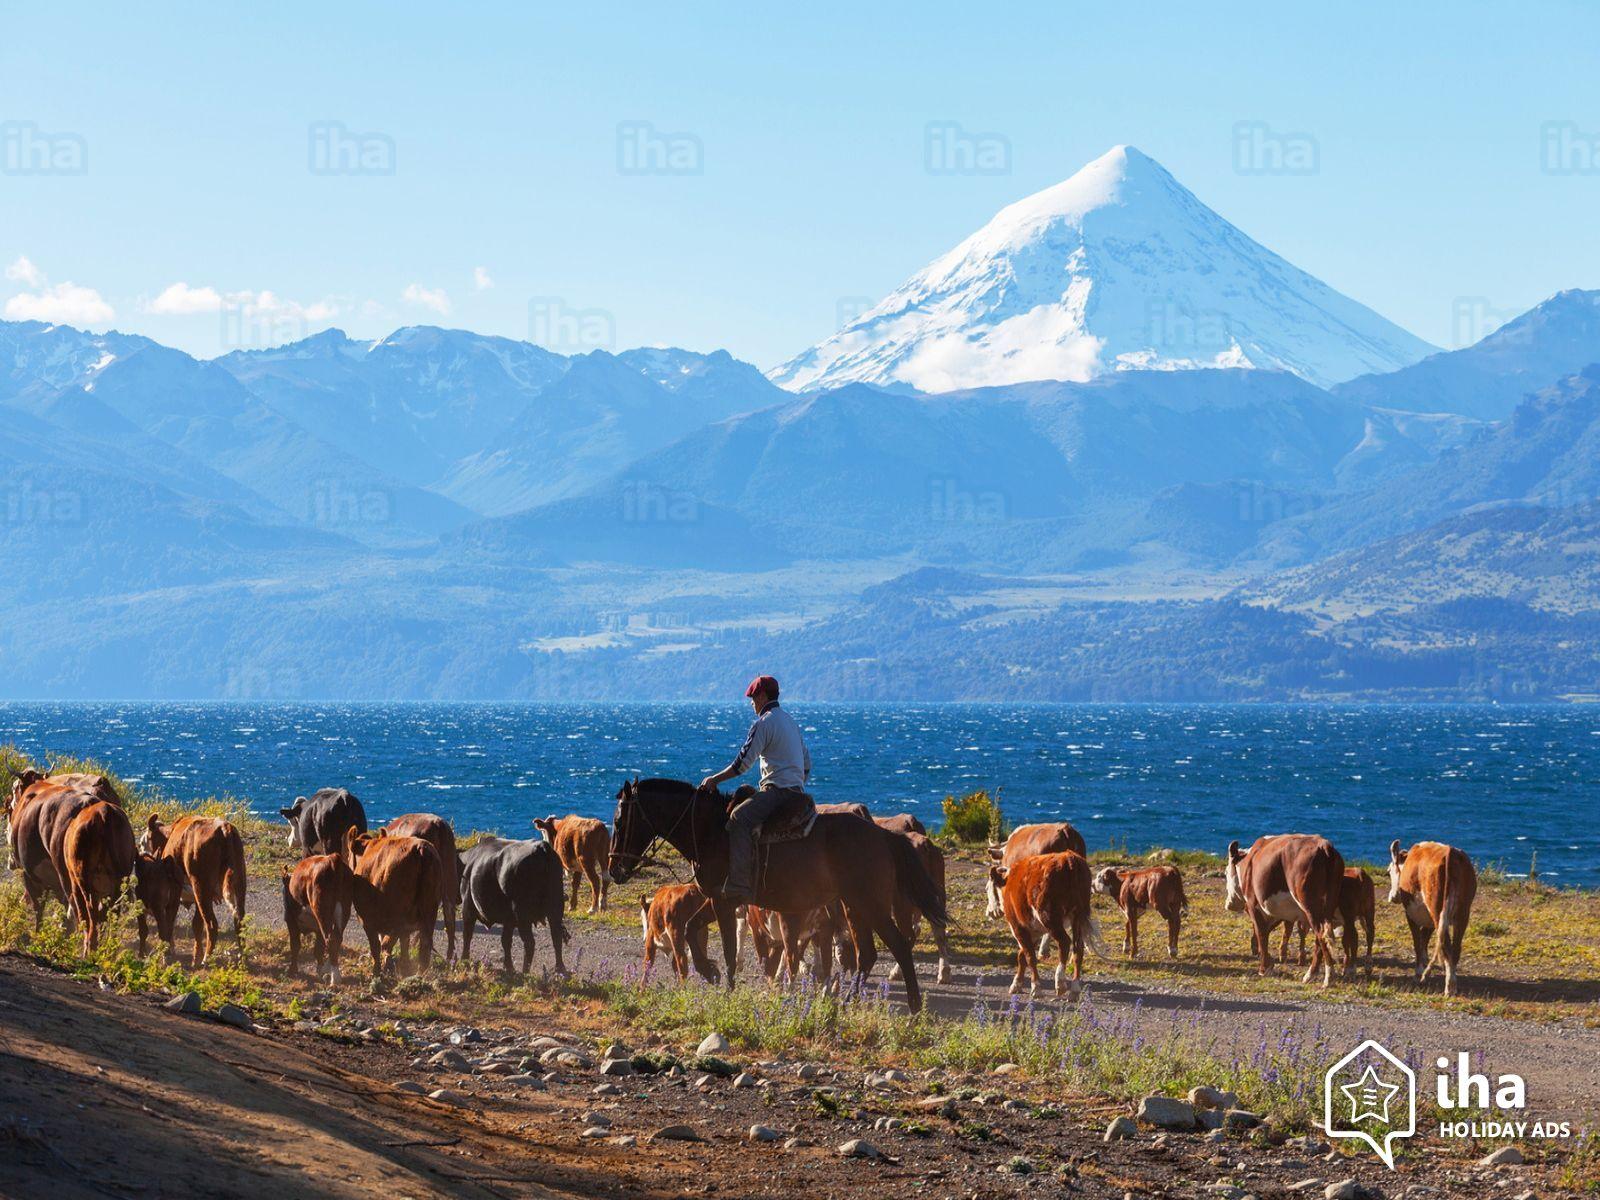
x,y
398,882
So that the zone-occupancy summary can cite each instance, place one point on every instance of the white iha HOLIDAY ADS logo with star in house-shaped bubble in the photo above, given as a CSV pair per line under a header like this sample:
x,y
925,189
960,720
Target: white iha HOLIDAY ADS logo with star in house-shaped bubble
x,y
1370,1095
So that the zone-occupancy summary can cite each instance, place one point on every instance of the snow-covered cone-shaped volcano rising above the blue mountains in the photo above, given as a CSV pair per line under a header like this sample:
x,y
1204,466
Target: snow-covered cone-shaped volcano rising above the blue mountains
x,y
1119,268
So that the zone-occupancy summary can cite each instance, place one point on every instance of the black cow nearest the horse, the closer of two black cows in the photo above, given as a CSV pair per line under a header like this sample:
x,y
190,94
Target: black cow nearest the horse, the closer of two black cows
x,y
514,886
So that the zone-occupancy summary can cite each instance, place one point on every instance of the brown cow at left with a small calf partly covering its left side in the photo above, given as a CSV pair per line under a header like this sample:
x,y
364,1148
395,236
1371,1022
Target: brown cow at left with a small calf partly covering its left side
x,y
210,857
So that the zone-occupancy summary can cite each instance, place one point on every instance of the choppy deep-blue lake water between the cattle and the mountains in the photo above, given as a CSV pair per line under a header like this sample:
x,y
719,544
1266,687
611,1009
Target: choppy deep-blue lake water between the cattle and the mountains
x,y
1503,783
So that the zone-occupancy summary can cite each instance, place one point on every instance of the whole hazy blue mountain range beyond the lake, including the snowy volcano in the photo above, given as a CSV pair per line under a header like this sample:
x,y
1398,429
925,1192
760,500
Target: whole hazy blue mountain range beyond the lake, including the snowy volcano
x,y
1302,500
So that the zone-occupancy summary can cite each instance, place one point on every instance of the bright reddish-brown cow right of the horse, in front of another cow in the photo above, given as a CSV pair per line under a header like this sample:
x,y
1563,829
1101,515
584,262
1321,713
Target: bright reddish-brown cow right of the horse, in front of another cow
x,y
1049,895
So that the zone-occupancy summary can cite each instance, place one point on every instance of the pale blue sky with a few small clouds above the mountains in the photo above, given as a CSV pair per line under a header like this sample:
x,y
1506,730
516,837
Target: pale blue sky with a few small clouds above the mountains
x,y
1455,158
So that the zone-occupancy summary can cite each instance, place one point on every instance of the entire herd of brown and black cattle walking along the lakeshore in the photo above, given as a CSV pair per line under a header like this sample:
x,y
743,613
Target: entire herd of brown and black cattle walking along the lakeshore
x,y
73,841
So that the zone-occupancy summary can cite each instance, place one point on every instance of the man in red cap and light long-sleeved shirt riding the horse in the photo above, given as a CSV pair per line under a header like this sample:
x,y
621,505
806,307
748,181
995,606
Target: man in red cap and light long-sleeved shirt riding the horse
x,y
786,766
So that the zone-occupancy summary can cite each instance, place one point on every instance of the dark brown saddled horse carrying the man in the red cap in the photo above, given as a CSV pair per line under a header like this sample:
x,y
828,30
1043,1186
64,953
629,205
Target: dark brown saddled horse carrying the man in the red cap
x,y
844,858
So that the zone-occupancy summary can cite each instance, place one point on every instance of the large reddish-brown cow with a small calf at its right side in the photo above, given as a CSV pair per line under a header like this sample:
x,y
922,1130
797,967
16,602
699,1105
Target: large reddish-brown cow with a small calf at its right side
x,y
1289,878
